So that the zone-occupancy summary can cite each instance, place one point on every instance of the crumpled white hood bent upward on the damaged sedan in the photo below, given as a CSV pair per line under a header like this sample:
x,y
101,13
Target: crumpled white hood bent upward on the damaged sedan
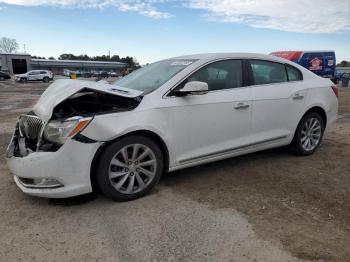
x,y
63,88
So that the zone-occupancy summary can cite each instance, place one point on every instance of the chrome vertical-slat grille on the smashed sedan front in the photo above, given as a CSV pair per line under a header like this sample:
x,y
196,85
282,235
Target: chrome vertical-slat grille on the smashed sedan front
x,y
30,127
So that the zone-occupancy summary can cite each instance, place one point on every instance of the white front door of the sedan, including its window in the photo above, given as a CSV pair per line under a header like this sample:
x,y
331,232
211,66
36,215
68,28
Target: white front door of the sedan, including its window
x,y
216,122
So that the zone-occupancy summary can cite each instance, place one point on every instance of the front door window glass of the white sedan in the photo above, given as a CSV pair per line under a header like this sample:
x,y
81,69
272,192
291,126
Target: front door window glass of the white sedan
x,y
220,75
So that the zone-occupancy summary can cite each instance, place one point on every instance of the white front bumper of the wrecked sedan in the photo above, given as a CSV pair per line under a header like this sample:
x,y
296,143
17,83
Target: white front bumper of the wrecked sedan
x,y
70,166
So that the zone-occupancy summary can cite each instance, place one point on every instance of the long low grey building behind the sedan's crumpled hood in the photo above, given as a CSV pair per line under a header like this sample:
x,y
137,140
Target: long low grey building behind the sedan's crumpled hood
x,y
22,63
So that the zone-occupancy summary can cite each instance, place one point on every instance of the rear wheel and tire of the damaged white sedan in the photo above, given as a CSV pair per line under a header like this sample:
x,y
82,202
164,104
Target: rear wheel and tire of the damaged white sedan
x,y
314,134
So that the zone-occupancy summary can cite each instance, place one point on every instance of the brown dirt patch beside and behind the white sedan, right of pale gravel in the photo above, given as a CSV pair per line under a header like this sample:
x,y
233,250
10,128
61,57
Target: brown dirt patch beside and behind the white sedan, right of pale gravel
x,y
304,202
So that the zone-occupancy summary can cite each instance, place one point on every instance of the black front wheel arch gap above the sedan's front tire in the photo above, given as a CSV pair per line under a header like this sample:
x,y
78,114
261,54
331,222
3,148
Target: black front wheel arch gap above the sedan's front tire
x,y
150,134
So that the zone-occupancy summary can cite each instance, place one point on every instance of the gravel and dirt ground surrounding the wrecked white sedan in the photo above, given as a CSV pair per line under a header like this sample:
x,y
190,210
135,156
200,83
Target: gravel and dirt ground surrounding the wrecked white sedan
x,y
267,206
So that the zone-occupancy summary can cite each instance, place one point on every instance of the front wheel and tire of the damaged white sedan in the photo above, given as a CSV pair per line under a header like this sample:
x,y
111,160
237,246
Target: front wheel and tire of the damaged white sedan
x,y
123,179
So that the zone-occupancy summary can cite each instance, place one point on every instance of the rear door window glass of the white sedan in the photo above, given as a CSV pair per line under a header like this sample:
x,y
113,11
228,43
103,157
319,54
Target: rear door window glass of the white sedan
x,y
265,72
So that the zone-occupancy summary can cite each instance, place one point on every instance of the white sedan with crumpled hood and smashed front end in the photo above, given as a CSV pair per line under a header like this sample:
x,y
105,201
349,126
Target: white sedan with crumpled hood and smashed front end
x,y
166,116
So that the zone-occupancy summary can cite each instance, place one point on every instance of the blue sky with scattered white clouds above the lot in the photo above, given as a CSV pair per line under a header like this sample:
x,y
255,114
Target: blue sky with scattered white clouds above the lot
x,y
156,29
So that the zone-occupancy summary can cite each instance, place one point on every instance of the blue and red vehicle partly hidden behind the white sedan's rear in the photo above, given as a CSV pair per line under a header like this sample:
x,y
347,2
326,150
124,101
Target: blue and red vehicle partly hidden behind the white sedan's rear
x,y
321,63
